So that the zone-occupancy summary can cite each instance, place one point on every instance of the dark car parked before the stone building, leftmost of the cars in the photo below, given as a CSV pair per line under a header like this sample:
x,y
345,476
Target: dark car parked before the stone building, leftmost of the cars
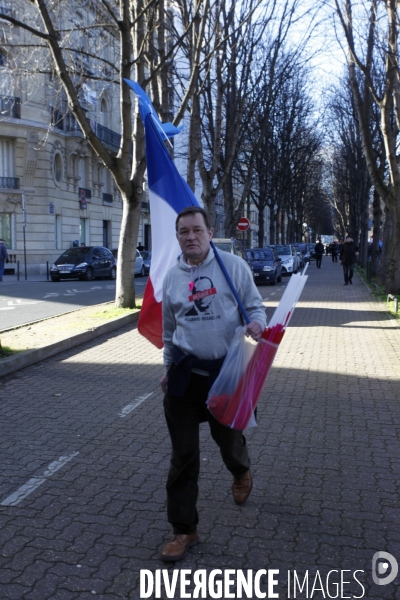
x,y
86,262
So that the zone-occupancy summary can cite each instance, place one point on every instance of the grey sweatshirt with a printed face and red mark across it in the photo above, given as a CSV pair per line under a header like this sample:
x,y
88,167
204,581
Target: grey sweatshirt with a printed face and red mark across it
x,y
200,313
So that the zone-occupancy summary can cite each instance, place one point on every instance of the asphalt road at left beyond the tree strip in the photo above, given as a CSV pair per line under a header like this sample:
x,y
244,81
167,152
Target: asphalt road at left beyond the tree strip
x,y
28,301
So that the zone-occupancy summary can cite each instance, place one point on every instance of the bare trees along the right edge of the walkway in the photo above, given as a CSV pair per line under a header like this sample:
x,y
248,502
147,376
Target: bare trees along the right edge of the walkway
x,y
368,126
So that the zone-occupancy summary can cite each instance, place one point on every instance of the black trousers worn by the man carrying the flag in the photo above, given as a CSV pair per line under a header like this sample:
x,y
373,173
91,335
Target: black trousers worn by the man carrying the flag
x,y
184,416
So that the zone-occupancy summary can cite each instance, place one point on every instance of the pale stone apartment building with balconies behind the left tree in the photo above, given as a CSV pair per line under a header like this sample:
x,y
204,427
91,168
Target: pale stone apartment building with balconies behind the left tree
x,y
53,188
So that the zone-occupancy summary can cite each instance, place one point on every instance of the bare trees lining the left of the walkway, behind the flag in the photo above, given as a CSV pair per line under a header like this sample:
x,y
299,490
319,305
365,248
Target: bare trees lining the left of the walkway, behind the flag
x,y
227,70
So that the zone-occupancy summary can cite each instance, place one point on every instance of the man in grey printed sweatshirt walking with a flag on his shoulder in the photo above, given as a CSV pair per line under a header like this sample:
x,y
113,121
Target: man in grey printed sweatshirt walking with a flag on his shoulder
x,y
200,316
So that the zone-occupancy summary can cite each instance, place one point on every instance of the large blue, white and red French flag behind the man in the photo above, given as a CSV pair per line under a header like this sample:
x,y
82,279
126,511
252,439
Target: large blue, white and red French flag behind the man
x,y
168,194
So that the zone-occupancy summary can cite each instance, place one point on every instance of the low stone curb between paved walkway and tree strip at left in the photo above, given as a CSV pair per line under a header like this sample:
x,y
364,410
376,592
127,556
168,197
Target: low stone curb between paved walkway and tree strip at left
x,y
29,357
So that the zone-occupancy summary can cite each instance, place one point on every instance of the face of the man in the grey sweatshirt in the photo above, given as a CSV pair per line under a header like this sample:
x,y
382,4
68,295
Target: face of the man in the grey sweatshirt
x,y
194,237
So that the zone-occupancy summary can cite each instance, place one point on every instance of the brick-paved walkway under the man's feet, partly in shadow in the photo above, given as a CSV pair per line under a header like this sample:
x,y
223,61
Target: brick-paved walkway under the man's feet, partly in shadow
x,y
84,453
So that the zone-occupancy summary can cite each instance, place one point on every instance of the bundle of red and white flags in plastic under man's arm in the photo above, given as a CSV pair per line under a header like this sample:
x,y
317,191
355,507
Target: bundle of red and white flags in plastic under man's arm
x,y
235,393
